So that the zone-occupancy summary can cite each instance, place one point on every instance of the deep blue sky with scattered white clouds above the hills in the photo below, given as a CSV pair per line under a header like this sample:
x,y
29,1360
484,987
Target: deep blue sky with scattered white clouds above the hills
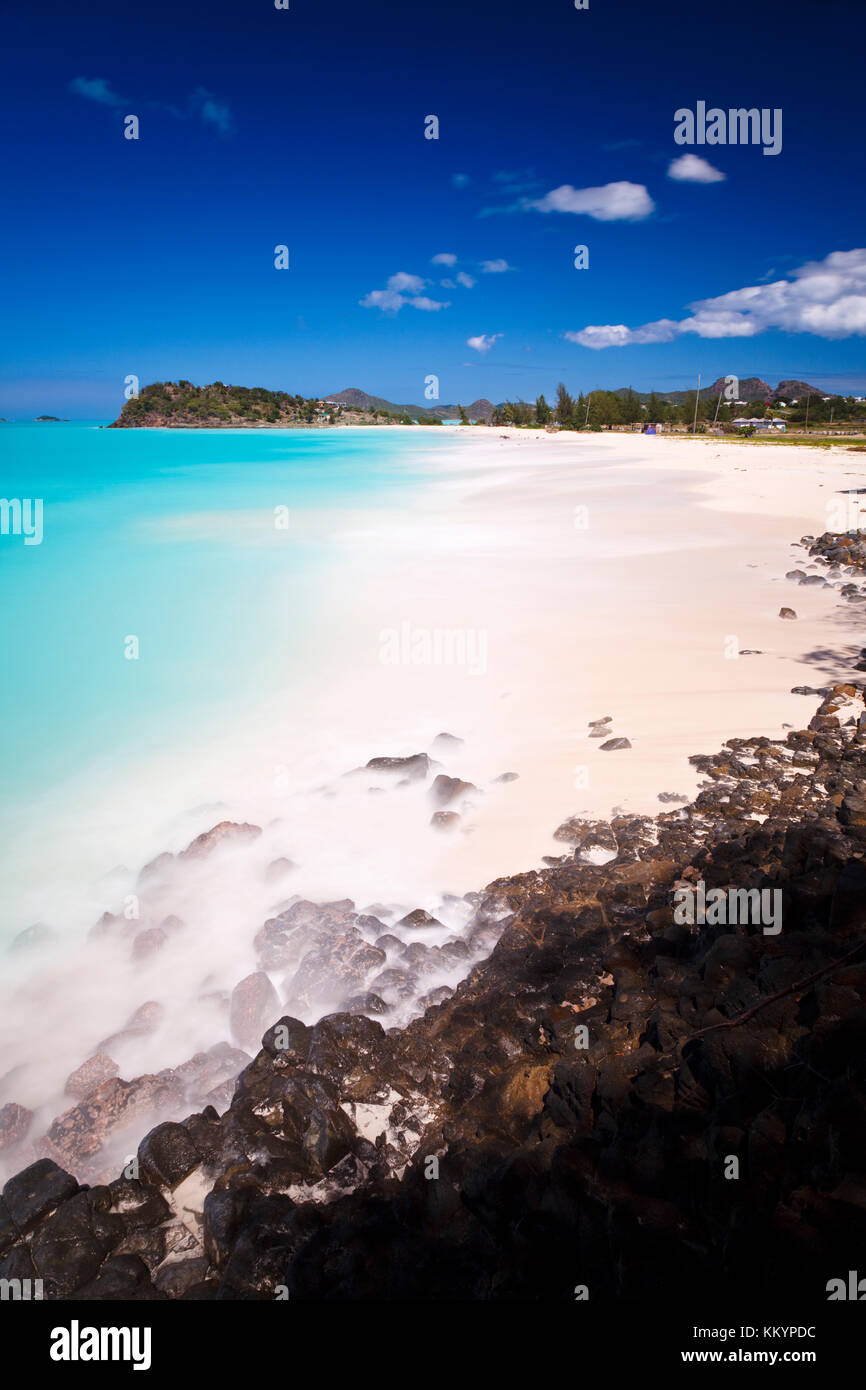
x,y
305,127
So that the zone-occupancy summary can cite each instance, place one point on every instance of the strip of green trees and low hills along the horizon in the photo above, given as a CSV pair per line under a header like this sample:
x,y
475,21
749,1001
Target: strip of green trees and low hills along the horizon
x,y
804,409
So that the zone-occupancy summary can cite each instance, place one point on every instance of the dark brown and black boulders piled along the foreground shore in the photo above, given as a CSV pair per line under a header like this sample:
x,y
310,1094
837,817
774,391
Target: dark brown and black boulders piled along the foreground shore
x,y
568,1117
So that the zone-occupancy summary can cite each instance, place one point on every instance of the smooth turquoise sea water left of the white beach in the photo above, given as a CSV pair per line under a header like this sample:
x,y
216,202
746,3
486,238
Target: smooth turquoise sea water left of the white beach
x,y
169,537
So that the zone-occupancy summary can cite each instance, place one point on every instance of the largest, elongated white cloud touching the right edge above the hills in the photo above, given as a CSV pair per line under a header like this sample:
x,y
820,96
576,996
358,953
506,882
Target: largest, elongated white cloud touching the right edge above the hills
x,y
824,298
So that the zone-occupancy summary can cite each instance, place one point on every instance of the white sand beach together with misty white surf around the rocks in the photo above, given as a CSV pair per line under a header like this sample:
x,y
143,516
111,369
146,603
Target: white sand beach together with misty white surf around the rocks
x,y
635,610
